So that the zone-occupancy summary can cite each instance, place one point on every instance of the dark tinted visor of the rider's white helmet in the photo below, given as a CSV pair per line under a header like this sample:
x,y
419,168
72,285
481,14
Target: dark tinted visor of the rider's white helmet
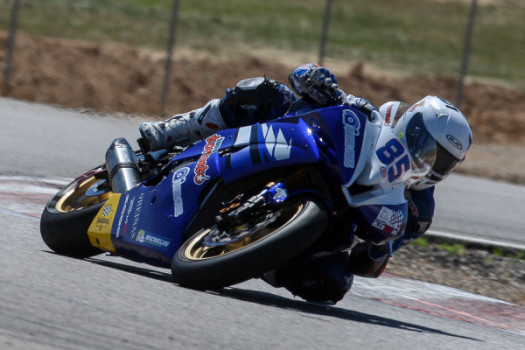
x,y
422,146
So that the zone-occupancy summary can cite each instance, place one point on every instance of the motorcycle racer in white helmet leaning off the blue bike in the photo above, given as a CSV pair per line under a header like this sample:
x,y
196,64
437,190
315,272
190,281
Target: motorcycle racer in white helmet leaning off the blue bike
x,y
431,125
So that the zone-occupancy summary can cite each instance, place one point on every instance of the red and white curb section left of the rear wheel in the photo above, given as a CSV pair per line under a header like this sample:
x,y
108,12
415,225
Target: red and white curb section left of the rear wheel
x,y
26,196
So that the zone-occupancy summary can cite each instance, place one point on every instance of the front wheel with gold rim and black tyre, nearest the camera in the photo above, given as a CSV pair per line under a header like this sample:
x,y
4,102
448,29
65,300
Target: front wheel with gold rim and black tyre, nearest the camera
x,y
215,257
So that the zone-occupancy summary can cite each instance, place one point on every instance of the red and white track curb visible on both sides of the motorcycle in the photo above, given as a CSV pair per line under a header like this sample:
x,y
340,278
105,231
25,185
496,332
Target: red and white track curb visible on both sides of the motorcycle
x,y
25,196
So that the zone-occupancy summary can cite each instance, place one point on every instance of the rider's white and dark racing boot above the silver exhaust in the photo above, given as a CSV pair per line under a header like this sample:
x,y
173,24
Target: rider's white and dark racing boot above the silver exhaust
x,y
183,129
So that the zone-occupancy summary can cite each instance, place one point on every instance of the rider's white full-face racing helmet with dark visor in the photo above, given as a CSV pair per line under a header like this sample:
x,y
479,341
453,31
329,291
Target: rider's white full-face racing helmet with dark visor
x,y
437,136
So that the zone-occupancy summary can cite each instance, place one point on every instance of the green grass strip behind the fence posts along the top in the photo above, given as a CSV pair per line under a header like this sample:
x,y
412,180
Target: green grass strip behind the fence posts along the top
x,y
418,36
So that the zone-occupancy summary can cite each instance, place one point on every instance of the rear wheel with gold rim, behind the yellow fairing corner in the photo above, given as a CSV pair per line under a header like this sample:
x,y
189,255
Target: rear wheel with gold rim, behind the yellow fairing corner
x,y
67,217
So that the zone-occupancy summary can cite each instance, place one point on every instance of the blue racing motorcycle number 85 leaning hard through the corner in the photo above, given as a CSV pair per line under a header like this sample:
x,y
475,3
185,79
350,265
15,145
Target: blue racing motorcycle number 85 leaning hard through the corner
x,y
242,201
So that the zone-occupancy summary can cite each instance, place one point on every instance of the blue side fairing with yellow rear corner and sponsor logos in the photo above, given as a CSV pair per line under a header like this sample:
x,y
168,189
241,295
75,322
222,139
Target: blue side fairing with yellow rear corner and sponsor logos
x,y
148,222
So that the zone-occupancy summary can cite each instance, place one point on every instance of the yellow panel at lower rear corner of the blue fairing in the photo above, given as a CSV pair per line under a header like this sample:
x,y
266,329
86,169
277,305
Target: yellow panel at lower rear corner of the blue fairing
x,y
99,231
